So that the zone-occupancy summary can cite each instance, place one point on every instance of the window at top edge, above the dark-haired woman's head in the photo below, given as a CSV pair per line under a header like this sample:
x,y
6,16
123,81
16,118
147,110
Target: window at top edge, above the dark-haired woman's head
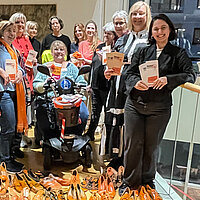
x,y
166,5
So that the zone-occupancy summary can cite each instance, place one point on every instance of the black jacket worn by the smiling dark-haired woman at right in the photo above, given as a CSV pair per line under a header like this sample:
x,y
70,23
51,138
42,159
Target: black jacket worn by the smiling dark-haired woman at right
x,y
174,63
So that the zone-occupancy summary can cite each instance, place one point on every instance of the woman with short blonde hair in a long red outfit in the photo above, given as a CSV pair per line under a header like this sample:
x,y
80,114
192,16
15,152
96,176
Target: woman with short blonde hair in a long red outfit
x,y
24,46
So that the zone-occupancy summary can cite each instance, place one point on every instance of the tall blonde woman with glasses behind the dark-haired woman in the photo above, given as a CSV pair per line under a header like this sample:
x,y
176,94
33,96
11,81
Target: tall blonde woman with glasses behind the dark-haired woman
x,y
138,23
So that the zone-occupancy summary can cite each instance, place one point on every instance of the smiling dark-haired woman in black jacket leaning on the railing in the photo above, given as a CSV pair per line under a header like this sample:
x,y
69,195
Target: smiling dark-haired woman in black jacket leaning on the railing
x,y
148,106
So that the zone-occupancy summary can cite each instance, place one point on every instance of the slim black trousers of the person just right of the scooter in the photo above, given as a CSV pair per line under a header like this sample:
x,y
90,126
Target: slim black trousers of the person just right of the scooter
x,y
98,101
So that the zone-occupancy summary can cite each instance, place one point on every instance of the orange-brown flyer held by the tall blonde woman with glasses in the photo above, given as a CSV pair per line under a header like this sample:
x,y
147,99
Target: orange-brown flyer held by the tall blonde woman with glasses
x,y
115,62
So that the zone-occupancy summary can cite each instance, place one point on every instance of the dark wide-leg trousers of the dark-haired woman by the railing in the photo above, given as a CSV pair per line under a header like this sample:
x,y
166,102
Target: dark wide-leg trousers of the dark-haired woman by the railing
x,y
145,125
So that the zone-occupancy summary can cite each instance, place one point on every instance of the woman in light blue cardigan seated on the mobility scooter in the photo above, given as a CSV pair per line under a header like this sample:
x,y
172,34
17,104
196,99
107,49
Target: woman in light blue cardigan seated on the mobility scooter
x,y
58,50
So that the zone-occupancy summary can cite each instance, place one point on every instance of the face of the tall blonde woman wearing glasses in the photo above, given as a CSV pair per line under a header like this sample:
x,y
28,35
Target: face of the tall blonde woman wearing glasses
x,y
139,18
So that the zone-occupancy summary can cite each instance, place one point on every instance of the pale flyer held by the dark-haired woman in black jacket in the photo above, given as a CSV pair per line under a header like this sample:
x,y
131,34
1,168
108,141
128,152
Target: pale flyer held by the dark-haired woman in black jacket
x,y
149,72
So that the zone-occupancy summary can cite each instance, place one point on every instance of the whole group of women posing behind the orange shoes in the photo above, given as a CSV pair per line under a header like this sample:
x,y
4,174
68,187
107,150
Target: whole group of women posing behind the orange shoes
x,y
136,114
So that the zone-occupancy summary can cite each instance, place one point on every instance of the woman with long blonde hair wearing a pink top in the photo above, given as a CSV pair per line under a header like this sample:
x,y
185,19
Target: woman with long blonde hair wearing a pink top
x,y
88,47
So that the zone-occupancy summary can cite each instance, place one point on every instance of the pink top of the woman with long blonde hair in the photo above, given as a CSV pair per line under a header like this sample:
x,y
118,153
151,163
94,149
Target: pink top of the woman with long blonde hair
x,y
85,49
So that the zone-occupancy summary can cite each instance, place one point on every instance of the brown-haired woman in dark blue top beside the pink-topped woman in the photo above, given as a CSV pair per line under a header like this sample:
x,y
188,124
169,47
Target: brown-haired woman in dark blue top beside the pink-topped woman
x,y
79,36
